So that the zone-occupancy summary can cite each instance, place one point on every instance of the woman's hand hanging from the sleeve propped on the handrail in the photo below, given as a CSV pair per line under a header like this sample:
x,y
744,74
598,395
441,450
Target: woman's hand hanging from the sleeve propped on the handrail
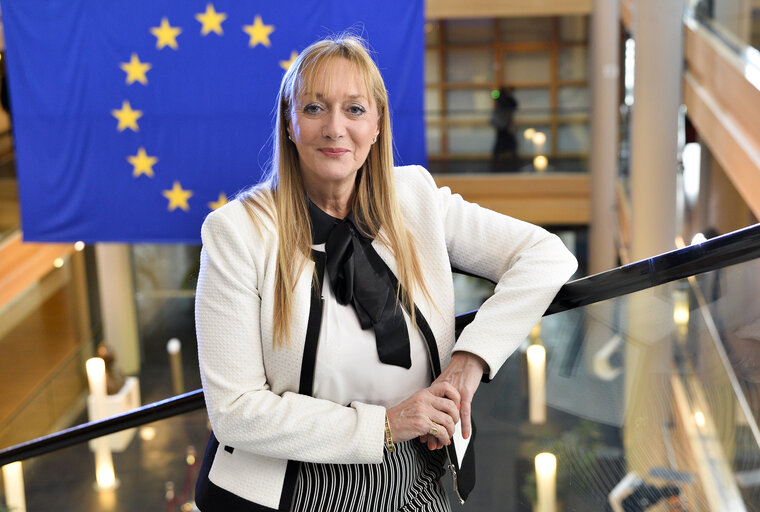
x,y
464,372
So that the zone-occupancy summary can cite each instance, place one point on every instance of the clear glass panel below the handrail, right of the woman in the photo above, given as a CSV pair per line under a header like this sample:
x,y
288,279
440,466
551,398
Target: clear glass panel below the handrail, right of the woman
x,y
636,392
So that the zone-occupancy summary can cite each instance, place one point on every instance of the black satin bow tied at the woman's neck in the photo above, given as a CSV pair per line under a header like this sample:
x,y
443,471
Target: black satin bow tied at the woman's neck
x,y
359,277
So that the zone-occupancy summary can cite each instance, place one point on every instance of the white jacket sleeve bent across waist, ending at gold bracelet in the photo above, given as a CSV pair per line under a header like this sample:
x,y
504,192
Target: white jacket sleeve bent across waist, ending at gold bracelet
x,y
244,413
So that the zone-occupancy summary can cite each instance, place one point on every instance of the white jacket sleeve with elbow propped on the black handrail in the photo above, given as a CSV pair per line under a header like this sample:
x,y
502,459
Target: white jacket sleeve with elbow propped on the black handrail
x,y
527,263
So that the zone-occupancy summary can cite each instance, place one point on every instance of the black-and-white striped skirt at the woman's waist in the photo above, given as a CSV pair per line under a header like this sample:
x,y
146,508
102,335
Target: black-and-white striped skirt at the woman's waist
x,y
409,479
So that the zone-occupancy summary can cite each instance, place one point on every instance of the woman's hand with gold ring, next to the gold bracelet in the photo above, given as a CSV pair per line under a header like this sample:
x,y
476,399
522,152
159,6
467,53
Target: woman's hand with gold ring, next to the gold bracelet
x,y
414,417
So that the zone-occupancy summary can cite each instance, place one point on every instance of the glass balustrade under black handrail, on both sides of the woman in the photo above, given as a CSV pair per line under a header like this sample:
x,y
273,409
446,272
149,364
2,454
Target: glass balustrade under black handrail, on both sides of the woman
x,y
649,397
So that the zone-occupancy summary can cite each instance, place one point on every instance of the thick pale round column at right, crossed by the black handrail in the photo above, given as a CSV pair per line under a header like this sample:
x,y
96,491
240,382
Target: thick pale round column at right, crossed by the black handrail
x,y
658,33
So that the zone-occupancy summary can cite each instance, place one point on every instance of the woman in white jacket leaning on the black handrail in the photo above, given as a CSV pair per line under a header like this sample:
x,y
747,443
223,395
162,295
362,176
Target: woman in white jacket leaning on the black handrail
x,y
325,308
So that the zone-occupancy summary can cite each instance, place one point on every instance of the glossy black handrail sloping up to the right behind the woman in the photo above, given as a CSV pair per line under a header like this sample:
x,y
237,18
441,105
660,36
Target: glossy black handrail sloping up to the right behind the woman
x,y
730,249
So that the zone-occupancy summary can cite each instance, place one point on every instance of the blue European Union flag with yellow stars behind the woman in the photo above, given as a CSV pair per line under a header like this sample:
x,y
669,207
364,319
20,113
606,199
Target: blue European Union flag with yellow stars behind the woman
x,y
133,118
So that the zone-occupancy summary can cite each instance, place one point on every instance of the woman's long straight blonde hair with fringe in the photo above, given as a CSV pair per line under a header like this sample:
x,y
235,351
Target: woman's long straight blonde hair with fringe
x,y
282,199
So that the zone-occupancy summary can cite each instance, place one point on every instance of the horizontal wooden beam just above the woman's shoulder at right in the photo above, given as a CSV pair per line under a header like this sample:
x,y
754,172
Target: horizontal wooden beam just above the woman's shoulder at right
x,y
545,199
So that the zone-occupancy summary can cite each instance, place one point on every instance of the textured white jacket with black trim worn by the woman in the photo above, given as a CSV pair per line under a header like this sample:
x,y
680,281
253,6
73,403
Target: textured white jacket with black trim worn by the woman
x,y
251,388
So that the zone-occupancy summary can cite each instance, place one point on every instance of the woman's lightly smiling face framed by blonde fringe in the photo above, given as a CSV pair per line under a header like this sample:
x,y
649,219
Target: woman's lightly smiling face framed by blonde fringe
x,y
333,126
